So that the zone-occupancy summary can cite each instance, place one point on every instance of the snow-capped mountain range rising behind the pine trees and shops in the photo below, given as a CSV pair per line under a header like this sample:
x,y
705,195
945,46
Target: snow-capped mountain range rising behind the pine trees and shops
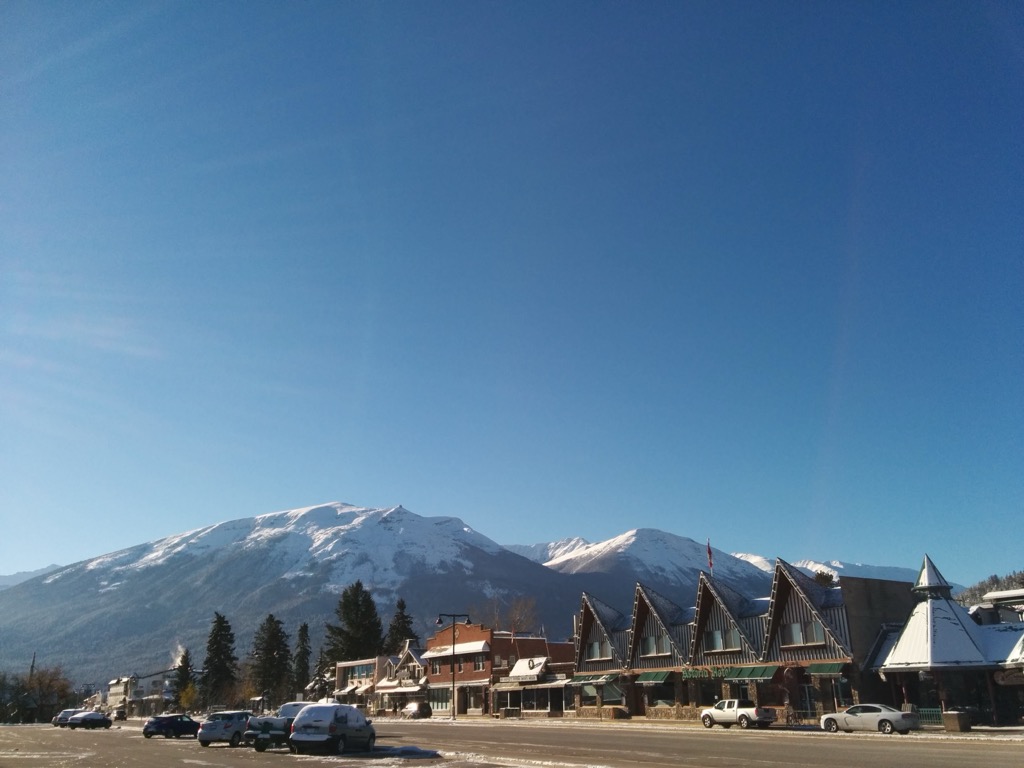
x,y
134,611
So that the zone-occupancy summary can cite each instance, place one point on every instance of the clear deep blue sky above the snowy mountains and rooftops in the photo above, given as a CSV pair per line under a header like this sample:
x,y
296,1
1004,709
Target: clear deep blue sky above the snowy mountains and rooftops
x,y
752,273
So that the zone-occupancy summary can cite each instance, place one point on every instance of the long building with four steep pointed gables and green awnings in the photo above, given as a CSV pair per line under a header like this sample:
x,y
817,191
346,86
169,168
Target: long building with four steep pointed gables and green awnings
x,y
802,649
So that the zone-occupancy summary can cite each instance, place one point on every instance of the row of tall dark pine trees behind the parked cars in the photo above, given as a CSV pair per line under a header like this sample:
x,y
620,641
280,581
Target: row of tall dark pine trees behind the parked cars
x,y
273,668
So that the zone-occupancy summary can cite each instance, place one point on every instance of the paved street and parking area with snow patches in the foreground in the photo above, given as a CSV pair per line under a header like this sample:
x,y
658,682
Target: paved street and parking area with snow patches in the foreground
x,y
526,745
